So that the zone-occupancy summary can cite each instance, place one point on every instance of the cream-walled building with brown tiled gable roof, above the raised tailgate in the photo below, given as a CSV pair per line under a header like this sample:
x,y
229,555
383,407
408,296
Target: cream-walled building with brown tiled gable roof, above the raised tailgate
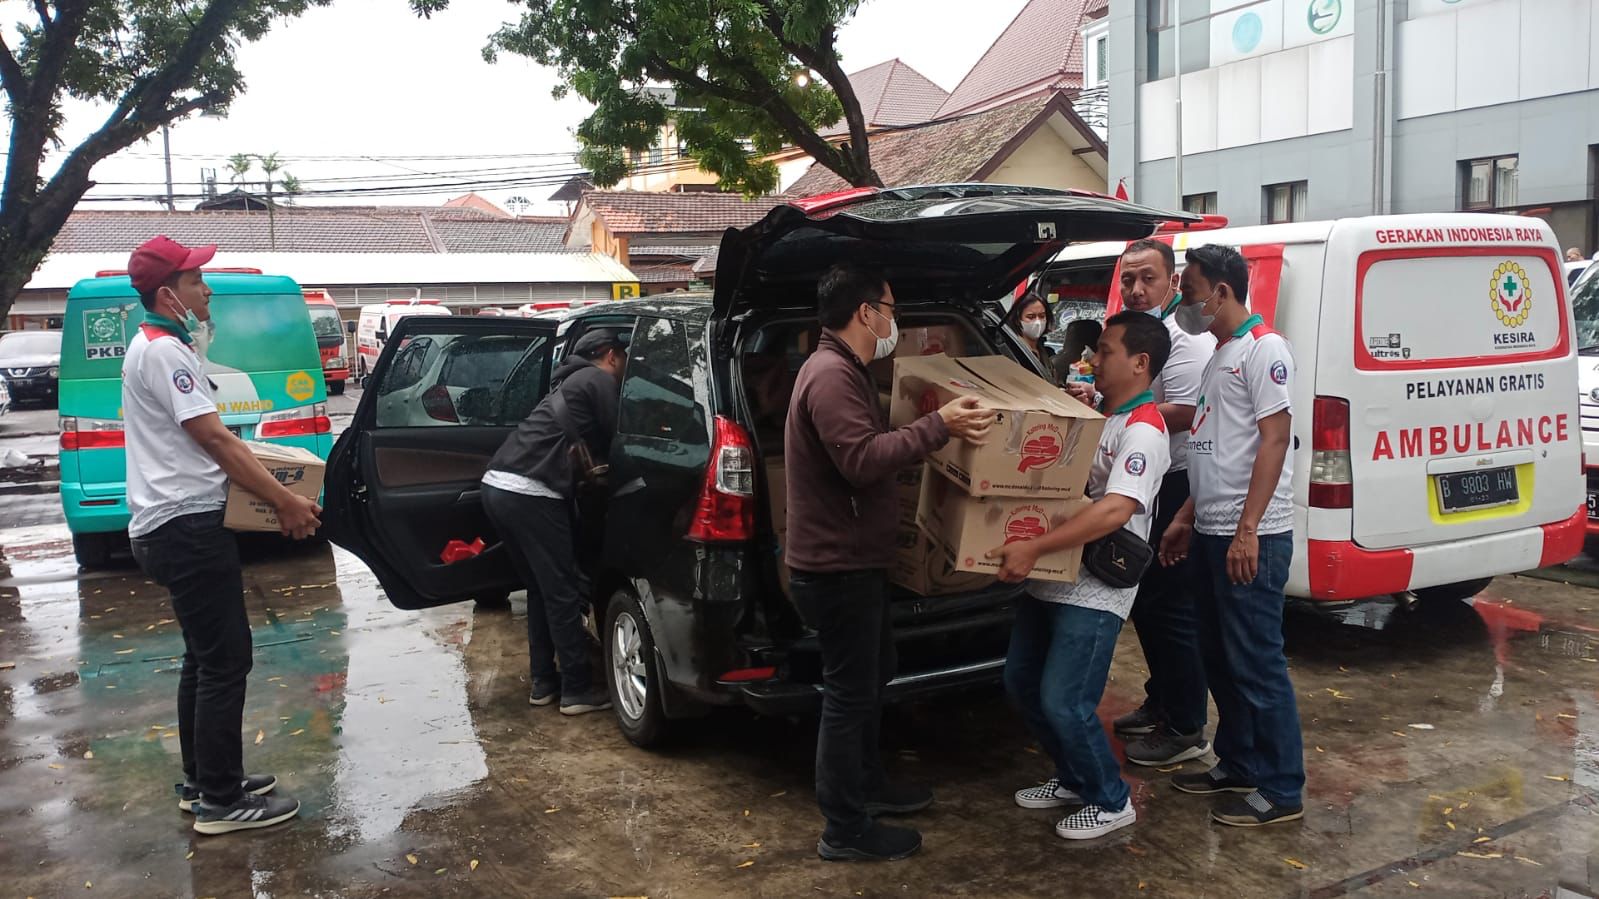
x,y
1037,140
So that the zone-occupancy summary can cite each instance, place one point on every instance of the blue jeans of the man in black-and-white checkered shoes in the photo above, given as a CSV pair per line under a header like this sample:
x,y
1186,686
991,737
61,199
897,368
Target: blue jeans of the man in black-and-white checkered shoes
x,y
1056,674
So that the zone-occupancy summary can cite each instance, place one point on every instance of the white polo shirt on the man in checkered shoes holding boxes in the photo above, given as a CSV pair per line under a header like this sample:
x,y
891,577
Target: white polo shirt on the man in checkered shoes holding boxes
x,y
1133,458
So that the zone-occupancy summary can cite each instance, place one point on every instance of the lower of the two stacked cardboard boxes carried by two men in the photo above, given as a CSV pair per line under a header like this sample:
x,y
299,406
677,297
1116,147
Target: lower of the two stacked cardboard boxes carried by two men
x,y
967,527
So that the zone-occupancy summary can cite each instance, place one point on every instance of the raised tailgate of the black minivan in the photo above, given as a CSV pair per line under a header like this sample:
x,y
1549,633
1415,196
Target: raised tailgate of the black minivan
x,y
963,244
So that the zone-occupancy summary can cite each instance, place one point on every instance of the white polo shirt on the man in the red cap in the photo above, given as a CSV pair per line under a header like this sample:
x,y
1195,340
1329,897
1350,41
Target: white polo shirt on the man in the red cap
x,y
164,385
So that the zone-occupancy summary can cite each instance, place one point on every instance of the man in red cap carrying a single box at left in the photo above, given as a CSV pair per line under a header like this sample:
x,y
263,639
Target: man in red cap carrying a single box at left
x,y
180,463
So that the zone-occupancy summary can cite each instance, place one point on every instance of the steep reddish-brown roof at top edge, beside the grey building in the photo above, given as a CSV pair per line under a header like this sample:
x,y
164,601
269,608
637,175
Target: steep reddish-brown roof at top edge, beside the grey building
x,y
1040,50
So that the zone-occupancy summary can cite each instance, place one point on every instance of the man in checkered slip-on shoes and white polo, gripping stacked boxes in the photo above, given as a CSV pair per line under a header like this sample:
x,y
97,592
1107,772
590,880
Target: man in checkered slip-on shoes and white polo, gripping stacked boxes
x,y
1066,634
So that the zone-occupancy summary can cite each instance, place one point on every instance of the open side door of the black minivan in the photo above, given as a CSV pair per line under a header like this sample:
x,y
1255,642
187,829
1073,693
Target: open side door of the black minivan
x,y
404,479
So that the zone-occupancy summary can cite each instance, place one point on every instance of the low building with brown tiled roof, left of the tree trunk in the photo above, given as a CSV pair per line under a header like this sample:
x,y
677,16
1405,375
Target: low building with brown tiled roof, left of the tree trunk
x,y
661,236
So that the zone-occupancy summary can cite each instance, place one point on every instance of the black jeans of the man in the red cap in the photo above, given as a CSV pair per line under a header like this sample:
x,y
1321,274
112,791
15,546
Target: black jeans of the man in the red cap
x,y
197,561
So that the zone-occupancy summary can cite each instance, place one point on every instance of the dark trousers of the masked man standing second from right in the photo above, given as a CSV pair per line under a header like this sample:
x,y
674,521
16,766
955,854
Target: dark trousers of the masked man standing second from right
x,y
1168,628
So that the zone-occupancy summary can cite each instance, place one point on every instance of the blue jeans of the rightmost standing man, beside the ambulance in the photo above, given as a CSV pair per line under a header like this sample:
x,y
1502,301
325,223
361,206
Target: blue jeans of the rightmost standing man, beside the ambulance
x,y
1258,733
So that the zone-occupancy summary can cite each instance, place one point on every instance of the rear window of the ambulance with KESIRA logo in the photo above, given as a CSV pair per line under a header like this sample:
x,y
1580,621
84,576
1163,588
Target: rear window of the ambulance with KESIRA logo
x,y
1456,310
